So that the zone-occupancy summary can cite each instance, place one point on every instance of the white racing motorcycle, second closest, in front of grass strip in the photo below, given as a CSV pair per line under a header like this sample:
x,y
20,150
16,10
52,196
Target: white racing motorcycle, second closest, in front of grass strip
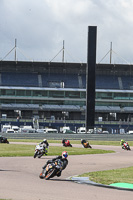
x,y
40,151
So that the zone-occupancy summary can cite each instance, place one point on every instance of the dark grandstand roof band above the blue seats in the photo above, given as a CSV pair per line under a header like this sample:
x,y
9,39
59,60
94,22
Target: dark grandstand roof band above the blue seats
x,y
63,67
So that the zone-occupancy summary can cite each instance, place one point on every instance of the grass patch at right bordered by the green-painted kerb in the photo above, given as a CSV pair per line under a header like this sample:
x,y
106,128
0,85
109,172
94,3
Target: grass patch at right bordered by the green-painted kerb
x,y
107,177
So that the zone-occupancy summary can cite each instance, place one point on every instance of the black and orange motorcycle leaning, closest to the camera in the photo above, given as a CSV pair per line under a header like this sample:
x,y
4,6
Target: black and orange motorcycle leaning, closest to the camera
x,y
52,169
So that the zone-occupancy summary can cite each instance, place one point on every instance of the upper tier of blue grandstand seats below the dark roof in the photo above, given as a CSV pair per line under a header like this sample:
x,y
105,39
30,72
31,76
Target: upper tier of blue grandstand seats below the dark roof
x,y
69,80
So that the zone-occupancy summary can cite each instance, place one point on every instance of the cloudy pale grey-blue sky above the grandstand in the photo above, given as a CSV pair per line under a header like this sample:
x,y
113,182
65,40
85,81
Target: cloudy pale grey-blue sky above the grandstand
x,y
41,26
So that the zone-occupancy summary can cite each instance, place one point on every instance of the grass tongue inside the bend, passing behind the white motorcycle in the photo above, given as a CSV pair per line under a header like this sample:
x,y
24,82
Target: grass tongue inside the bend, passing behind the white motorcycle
x,y
14,150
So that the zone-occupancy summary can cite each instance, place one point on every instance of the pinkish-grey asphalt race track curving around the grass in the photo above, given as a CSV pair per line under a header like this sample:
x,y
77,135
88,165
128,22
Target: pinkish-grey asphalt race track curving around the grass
x,y
19,177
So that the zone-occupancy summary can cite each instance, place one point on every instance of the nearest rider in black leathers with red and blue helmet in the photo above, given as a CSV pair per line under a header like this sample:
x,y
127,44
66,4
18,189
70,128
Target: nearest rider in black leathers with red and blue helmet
x,y
62,158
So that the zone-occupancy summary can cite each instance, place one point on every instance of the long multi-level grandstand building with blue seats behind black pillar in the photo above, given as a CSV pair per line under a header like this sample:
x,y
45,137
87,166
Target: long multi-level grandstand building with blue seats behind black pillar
x,y
51,89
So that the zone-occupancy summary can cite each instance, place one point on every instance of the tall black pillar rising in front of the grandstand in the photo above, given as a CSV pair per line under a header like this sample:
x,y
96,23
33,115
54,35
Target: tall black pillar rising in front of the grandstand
x,y
90,77
